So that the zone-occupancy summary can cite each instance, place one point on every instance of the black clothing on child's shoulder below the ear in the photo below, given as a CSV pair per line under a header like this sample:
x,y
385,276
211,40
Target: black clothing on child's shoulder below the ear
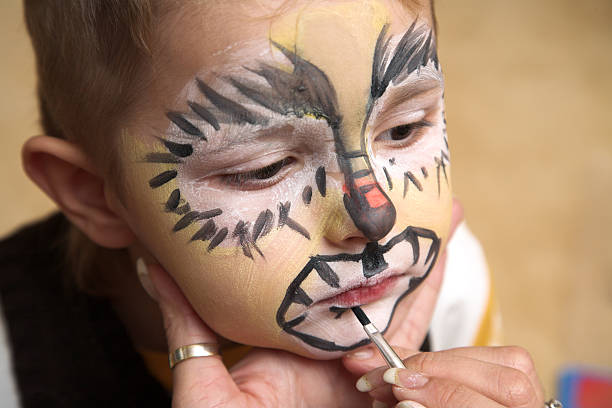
x,y
69,349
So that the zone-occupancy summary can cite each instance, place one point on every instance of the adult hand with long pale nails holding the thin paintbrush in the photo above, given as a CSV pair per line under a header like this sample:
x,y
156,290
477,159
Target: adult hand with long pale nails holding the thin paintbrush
x,y
475,377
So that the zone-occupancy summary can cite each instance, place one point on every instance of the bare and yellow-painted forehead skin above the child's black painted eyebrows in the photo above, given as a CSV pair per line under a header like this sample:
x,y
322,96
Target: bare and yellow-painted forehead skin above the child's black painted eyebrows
x,y
338,37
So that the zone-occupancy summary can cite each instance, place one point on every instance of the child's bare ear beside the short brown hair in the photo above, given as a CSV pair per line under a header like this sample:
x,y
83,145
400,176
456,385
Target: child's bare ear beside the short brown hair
x,y
68,176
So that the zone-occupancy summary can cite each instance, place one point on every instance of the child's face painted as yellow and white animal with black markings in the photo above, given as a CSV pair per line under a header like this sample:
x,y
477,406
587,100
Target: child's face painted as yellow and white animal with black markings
x,y
293,167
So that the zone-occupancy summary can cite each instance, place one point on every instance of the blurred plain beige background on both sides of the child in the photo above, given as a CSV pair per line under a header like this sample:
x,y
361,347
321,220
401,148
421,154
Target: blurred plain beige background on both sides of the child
x,y
529,90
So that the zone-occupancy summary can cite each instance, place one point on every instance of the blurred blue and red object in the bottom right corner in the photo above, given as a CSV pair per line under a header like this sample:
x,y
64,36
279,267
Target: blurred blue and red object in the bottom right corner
x,y
585,387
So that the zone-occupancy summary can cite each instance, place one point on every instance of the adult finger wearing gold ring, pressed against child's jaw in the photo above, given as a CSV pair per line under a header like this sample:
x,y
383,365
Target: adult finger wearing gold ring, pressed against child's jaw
x,y
197,382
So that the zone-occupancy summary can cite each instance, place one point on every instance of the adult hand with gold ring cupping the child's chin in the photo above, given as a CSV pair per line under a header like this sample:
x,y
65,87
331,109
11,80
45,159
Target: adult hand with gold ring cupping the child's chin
x,y
264,378
